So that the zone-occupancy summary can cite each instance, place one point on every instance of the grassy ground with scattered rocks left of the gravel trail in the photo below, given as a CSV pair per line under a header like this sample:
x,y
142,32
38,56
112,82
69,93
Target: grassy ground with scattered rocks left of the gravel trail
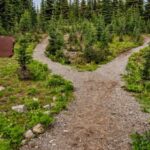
x,y
34,94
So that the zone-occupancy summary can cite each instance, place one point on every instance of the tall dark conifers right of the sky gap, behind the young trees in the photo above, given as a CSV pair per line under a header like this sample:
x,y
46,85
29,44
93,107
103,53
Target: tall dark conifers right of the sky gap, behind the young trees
x,y
88,8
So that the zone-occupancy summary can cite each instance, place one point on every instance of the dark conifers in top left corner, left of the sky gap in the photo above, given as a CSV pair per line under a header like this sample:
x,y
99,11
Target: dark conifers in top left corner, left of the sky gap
x,y
18,15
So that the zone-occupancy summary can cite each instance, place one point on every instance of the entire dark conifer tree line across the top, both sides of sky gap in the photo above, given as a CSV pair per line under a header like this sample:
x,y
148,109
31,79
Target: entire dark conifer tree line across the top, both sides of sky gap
x,y
23,16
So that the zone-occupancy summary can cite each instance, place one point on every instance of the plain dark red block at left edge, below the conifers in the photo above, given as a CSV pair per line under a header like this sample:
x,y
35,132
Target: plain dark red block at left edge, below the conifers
x,y
6,46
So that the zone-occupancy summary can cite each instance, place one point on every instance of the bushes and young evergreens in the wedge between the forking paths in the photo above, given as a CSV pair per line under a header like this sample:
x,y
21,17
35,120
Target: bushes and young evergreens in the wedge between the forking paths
x,y
86,44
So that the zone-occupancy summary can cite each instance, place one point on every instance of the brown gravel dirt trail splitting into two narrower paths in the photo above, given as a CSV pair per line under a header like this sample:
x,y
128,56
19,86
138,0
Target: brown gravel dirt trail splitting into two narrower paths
x,y
101,117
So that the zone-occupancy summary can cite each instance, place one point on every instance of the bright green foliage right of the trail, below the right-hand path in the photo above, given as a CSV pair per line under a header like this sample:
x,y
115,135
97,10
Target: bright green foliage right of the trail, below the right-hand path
x,y
135,81
